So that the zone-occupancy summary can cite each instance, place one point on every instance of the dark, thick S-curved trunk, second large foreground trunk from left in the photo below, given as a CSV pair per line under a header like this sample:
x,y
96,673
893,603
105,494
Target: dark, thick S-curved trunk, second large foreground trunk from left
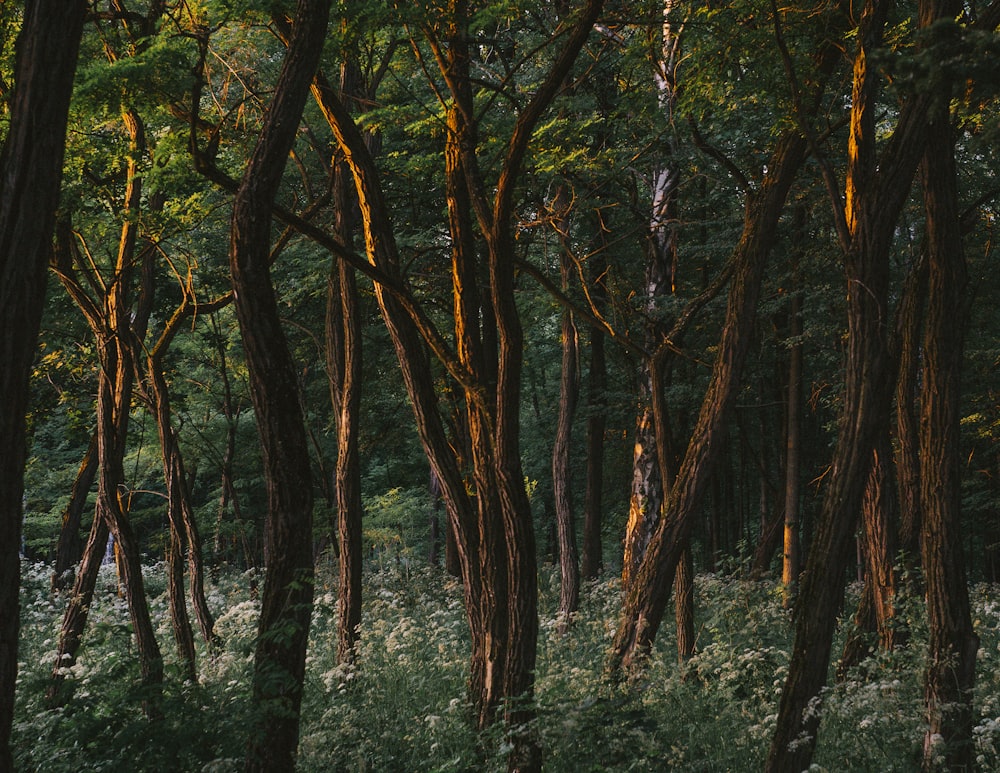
x,y
286,605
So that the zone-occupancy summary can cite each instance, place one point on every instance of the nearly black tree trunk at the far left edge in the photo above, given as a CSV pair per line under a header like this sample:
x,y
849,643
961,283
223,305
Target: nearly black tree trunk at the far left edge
x,y
30,174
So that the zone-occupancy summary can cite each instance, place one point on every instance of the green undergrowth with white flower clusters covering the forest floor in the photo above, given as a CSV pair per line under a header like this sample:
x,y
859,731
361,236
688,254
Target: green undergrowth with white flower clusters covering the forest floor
x,y
403,706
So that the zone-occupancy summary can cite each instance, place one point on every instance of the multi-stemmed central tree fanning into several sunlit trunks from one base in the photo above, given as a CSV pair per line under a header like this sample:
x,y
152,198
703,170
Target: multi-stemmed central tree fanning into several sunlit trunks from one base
x,y
497,542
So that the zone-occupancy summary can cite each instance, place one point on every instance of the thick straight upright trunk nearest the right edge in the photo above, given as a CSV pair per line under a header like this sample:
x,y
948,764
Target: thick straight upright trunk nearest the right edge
x,y
951,671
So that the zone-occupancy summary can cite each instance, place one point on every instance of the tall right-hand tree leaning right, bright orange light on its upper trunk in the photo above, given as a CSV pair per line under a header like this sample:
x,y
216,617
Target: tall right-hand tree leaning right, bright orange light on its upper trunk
x,y
877,187
